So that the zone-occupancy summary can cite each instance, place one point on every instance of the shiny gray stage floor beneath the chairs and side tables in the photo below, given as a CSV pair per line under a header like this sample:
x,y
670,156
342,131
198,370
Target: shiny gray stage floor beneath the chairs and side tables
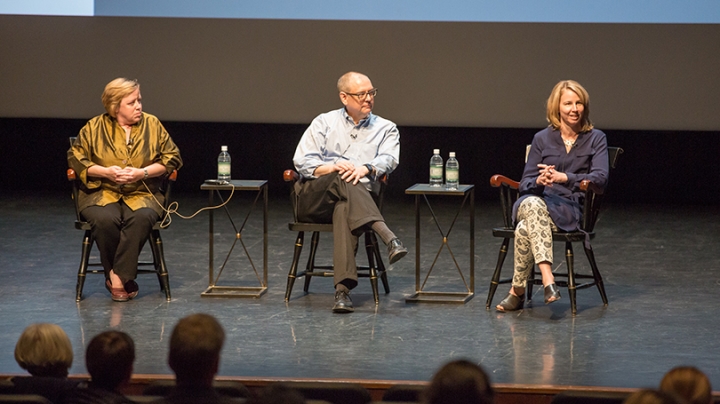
x,y
660,264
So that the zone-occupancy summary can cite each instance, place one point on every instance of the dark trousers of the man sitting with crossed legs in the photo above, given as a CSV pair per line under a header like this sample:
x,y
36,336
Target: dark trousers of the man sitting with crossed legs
x,y
329,199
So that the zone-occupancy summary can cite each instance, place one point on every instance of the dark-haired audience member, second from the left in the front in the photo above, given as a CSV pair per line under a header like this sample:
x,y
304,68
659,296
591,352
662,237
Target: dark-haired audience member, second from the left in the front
x,y
109,360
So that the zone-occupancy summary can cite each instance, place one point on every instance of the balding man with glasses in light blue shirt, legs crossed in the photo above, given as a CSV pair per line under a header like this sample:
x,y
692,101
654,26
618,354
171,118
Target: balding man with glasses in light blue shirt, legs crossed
x,y
340,157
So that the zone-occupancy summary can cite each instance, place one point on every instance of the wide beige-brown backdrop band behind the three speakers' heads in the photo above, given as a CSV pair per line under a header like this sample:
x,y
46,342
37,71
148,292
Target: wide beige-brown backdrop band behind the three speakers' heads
x,y
640,76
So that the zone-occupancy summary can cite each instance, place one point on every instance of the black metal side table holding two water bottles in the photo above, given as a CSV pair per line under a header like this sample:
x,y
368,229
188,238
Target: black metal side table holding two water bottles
x,y
421,295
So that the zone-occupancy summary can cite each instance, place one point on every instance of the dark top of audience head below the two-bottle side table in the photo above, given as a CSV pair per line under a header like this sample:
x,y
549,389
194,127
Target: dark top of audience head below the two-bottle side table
x,y
459,382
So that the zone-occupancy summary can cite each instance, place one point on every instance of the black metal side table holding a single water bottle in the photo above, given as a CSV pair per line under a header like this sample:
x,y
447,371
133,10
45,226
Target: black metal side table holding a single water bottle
x,y
214,290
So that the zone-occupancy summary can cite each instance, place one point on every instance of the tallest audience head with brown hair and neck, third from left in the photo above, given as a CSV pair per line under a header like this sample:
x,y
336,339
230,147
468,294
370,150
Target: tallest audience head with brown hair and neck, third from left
x,y
194,356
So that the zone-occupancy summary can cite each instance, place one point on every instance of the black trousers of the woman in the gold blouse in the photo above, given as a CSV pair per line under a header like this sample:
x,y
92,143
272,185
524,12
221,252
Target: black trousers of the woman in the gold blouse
x,y
120,234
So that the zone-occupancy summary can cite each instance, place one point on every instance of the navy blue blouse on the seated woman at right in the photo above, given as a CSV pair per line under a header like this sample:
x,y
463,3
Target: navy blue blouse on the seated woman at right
x,y
587,160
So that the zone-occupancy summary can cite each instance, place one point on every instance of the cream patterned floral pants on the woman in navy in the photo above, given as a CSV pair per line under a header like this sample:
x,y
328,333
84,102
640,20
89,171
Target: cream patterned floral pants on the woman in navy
x,y
533,238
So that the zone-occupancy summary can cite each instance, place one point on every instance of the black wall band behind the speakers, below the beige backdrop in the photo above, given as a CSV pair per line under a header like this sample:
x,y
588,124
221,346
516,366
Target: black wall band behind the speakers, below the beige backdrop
x,y
665,167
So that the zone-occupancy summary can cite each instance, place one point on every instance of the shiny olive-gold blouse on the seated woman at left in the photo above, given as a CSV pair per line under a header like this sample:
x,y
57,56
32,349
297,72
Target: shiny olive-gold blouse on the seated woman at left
x,y
102,141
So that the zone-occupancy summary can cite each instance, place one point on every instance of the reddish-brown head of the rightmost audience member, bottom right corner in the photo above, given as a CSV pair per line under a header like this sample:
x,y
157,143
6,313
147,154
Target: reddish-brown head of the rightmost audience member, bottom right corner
x,y
688,383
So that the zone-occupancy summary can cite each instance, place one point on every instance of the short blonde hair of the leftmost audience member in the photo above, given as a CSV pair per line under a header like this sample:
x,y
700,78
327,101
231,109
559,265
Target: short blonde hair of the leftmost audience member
x,y
44,349
